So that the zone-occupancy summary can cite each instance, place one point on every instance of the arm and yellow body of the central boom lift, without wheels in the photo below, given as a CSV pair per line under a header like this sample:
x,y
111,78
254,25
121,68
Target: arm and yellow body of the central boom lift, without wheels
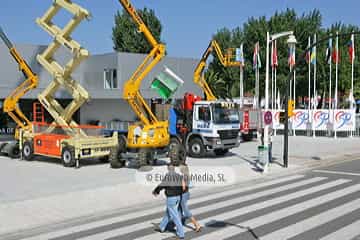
x,y
154,133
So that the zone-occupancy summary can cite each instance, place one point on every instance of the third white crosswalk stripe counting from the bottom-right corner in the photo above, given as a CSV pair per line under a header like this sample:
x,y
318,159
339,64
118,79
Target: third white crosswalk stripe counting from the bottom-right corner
x,y
276,215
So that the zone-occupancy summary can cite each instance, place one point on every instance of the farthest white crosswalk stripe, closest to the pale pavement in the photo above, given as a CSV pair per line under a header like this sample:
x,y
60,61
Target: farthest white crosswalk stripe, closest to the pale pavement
x,y
161,209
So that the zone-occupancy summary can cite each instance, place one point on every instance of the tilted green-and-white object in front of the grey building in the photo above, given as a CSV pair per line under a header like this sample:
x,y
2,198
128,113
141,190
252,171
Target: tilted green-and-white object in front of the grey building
x,y
166,83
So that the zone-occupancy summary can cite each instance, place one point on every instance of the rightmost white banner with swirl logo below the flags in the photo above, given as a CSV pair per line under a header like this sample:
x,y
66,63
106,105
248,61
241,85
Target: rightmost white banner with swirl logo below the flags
x,y
344,120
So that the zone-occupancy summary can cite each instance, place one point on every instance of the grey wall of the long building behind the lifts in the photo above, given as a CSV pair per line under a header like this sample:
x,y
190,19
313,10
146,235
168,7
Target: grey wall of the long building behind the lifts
x,y
104,104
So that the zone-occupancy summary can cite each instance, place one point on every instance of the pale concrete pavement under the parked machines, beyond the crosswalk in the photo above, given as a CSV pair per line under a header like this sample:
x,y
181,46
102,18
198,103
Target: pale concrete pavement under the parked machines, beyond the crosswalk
x,y
33,194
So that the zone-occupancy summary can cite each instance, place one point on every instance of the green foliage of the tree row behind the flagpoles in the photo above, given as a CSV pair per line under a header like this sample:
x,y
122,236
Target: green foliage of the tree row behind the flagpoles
x,y
303,26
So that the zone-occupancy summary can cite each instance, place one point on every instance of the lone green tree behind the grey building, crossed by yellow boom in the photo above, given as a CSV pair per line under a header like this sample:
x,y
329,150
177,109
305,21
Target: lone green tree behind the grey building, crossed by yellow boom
x,y
126,37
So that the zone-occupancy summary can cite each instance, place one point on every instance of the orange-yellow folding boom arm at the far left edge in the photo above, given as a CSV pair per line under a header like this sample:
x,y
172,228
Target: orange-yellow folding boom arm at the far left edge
x,y
11,102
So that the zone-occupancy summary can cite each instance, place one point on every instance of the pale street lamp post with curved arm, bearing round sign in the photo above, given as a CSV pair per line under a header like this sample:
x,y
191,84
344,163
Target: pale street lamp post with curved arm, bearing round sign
x,y
269,39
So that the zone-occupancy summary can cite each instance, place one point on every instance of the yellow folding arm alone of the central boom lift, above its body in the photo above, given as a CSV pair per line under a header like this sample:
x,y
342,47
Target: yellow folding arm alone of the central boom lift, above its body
x,y
132,86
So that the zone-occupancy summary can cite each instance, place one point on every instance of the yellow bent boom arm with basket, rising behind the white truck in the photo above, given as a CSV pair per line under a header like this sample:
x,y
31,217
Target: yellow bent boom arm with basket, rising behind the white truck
x,y
226,60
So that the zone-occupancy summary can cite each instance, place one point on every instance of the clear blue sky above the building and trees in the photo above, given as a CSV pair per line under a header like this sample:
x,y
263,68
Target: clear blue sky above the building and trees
x,y
188,25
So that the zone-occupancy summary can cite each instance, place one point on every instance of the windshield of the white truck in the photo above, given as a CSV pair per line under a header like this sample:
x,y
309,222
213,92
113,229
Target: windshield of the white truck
x,y
225,114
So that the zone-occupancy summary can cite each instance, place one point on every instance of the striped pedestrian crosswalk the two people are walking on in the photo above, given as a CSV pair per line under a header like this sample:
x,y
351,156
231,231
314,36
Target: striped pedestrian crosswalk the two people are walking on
x,y
294,207
